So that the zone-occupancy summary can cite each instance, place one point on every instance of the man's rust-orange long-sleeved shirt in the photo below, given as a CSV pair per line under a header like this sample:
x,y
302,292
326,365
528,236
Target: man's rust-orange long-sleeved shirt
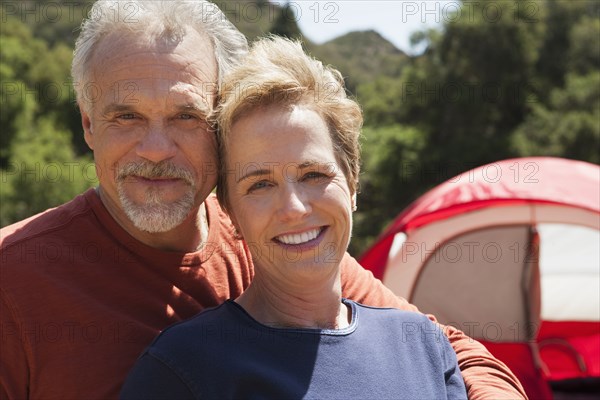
x,y
80,299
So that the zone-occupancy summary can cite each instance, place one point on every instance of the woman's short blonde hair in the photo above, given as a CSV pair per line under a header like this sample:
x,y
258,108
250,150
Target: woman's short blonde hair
x,y
277,71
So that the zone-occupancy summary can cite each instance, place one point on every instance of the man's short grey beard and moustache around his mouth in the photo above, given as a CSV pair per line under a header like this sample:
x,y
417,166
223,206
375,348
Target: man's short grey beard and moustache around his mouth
x,y
155,215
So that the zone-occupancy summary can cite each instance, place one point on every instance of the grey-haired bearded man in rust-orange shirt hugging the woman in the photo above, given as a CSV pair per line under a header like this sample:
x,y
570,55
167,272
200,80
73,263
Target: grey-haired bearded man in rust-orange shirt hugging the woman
x,y
86,286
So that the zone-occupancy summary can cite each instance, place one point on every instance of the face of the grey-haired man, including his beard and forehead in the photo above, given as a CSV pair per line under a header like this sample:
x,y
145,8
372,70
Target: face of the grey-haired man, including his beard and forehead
x,y
155,156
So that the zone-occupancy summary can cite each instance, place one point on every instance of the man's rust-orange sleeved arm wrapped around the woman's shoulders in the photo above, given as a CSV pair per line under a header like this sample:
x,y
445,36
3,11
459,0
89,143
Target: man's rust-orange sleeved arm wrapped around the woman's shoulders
x,y
485,376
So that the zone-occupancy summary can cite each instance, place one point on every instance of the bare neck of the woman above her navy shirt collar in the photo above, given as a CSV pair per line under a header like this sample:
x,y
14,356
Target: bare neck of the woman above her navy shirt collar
x,y
296,307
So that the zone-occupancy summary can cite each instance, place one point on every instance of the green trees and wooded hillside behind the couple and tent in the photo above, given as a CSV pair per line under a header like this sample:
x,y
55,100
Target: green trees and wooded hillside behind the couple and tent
x,y
501,79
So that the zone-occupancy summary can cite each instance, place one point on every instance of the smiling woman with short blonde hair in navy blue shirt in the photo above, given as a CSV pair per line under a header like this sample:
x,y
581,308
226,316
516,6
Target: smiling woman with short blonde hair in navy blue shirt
x,y
289,145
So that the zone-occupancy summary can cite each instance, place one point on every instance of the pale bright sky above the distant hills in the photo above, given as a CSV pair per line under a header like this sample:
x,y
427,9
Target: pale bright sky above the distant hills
x,y
395,20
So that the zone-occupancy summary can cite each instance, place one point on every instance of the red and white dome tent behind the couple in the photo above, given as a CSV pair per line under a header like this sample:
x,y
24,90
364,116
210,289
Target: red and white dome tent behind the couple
x,y
510,253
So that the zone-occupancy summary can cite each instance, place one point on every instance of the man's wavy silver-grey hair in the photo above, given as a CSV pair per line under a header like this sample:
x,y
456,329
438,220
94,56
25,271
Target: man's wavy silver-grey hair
x,y
168,19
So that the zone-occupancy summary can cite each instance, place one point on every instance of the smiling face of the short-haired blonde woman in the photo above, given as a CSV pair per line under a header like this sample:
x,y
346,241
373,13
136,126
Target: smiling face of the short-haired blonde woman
x,y
288,196
